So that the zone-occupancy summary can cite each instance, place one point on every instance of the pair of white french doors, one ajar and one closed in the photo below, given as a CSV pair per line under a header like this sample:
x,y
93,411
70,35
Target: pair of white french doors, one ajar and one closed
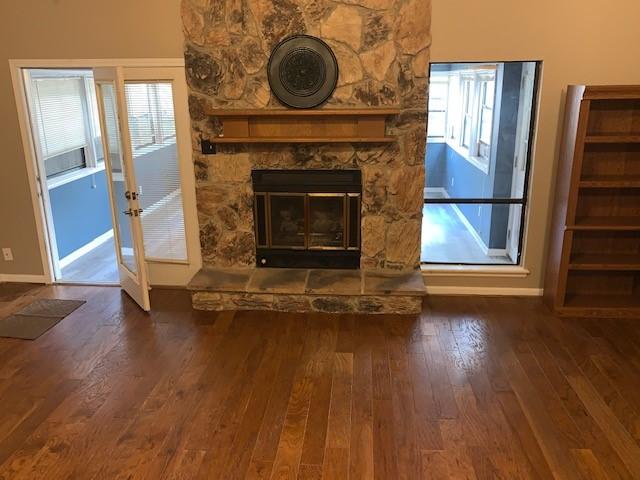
x,y
152,184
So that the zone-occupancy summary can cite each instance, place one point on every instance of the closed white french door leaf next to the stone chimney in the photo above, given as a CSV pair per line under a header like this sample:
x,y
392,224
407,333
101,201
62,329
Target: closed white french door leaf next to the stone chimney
x,y
158,123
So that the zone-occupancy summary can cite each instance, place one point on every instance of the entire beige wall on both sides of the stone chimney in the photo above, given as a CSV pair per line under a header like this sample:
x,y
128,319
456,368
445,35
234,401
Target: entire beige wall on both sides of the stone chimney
x,y
579,41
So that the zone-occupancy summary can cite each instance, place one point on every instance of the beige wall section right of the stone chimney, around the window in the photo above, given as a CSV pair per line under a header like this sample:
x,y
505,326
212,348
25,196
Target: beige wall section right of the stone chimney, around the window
x,y
579,41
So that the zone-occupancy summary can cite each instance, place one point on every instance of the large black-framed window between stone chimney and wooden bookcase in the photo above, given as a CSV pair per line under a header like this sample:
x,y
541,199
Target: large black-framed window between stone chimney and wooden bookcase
x,y
476,190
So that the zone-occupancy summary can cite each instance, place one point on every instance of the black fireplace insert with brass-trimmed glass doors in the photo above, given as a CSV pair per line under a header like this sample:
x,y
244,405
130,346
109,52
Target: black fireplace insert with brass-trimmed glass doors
x,y
307,218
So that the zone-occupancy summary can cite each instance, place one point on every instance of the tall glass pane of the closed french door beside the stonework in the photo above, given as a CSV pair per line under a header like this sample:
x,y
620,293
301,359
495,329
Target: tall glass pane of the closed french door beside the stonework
x,y
155,157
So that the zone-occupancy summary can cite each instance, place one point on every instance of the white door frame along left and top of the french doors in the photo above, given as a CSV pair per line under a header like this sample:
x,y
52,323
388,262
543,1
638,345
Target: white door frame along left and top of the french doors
x,y
16,66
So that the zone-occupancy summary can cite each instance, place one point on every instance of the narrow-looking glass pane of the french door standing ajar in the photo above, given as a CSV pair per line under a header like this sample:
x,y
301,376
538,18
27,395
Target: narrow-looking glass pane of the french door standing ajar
x,y
112,139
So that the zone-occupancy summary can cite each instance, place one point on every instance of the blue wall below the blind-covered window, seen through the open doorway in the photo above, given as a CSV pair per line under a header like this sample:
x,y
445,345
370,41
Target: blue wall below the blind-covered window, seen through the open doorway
x,y
81,213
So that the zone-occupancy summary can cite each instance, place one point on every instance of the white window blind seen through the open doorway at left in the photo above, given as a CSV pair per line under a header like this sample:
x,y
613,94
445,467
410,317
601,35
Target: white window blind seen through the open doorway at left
x,y
59,114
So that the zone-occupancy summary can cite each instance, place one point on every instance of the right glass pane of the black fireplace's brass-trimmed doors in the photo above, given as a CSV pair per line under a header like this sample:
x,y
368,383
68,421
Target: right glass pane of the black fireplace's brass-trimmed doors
x,y
326,221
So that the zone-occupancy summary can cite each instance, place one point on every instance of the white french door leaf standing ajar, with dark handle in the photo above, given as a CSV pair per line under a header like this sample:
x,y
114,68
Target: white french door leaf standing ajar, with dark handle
x,y
125,207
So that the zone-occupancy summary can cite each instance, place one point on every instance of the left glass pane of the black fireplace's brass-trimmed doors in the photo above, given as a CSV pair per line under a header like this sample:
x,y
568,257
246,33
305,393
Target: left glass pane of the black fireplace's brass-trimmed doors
x,y
287,220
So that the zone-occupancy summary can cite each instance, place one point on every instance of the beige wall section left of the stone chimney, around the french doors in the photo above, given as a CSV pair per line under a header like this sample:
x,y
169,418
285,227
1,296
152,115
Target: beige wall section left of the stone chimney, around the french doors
x,y
65,29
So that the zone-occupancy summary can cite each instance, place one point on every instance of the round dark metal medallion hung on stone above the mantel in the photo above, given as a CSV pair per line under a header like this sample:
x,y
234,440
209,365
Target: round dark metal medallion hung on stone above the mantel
x,y
303,71
